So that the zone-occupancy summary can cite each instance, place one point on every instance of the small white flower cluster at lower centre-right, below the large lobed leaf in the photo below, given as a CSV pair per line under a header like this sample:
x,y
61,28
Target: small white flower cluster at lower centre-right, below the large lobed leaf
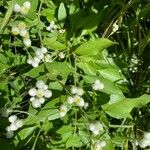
x,y
95,128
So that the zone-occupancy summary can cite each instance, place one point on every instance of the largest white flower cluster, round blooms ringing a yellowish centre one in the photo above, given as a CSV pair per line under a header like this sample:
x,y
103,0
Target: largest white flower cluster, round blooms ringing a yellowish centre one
x,y
39,94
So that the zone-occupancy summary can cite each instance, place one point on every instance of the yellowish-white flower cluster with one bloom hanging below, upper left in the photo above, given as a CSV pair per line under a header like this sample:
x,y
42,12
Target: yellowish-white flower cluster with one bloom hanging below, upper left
x,y
21,30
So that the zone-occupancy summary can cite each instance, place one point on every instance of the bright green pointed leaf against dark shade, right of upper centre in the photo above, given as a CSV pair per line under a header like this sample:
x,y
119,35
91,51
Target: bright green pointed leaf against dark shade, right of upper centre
x,y
93,47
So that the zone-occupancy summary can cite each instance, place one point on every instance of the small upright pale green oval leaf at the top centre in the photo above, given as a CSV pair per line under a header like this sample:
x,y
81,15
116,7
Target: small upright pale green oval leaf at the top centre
x,y
62,14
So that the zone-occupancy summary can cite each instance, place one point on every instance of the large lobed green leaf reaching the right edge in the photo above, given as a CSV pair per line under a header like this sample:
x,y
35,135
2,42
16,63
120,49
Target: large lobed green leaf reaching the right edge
x,y
123,107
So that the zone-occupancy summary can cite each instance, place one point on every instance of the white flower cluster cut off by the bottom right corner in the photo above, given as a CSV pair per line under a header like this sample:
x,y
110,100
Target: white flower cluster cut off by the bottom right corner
x,y
145,141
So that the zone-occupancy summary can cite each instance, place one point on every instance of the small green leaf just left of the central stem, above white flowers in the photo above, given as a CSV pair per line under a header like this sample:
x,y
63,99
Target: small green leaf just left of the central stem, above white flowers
x,y
53,44
